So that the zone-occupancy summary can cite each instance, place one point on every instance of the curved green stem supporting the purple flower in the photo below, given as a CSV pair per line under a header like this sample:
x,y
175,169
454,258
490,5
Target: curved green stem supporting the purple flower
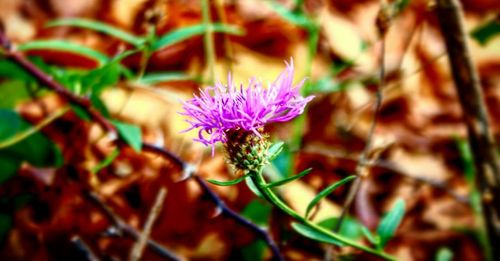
x,y
261,185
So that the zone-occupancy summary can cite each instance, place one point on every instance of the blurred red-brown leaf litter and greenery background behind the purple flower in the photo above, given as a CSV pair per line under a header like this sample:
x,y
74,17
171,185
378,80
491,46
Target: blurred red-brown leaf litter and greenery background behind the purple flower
x,y
139,79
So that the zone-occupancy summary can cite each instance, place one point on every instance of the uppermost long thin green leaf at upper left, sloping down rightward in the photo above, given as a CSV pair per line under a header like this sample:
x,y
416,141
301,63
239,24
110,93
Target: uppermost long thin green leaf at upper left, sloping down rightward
x,y
100,27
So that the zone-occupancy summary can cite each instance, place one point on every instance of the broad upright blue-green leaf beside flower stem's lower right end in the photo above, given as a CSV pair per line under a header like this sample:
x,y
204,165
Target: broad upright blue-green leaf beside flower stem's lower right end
x,y
390,222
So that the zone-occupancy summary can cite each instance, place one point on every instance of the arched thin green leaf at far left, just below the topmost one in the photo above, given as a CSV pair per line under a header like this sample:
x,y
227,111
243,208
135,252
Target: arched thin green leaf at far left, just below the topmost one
x,y
66,46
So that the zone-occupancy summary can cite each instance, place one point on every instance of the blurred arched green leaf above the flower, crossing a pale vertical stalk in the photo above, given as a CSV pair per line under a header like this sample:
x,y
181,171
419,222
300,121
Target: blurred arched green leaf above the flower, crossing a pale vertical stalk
x,y
190,31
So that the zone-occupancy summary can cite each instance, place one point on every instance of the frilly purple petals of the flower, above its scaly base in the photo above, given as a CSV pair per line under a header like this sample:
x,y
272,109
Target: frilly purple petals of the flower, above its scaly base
x,y
221,108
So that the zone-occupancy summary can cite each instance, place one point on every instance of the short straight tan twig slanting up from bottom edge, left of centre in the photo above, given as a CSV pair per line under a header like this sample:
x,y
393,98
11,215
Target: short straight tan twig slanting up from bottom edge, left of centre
x,y
141,243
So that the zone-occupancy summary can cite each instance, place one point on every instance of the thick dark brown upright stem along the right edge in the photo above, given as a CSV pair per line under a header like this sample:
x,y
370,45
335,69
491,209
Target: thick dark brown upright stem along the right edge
x,y
475,114
